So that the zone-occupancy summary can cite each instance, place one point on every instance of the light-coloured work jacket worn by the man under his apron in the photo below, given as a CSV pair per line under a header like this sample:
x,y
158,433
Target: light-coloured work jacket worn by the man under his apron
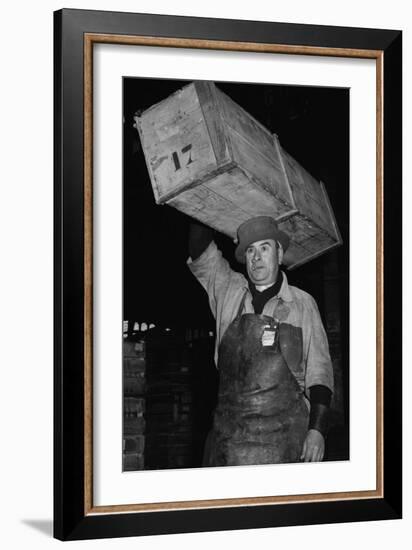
x,y
226,289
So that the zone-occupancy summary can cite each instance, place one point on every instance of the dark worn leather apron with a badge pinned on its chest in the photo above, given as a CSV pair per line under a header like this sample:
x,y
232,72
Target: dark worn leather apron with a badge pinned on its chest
x,y
261,416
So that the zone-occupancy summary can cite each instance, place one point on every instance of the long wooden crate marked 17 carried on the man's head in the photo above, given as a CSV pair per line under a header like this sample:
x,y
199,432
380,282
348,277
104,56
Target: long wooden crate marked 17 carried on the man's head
x,y
210,159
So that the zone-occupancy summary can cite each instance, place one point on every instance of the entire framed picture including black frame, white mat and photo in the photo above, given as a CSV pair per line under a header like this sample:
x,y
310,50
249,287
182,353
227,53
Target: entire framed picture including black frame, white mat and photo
x,y
227,274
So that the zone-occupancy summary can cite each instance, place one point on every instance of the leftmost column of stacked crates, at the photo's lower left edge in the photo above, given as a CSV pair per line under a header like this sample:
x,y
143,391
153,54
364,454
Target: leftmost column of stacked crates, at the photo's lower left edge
x,y
134,387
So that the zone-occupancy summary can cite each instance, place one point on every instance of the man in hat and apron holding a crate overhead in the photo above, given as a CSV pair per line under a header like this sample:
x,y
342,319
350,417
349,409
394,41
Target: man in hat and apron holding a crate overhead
x,y
276,377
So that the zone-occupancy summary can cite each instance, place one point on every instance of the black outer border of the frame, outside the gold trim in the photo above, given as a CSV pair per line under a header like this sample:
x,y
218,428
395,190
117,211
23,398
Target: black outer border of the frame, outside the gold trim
x,y
70,520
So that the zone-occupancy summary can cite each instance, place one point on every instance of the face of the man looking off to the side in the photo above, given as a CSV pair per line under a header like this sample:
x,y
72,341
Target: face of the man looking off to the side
x,y
262,262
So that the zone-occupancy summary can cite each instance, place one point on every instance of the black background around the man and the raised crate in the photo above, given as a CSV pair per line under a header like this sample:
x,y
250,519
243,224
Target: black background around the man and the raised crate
x,y
313,126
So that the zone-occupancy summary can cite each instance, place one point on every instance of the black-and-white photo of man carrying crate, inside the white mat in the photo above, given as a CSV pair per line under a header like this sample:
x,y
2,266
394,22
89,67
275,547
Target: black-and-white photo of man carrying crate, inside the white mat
x,y
236,274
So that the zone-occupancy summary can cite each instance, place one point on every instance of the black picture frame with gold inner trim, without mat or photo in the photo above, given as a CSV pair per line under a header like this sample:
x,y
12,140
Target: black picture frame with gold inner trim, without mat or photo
x,y
75,514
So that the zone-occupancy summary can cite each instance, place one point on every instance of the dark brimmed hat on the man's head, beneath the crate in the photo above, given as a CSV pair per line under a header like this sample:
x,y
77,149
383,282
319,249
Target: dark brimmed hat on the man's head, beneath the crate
x,y
258,229
